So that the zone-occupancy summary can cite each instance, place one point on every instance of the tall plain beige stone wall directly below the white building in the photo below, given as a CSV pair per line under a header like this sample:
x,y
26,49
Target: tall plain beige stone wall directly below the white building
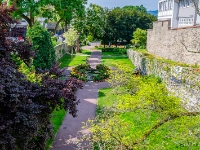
x,y
182,45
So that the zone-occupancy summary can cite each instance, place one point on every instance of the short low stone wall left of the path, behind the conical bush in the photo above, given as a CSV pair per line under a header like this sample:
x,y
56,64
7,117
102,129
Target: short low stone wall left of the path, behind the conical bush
x,y
61,50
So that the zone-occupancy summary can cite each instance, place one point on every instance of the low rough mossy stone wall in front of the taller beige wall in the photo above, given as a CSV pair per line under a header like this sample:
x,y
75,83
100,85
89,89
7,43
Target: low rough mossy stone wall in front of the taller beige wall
x,y
184,82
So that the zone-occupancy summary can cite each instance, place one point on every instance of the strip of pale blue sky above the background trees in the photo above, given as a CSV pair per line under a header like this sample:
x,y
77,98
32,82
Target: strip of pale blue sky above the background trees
x,y
149,4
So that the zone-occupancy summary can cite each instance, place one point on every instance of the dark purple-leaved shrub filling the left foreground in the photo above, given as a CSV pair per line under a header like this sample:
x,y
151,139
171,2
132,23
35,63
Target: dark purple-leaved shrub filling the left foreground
x,y
26,107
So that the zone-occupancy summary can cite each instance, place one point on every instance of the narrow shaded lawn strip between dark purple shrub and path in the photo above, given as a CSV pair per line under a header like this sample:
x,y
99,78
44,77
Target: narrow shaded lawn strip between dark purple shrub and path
x,y
56,120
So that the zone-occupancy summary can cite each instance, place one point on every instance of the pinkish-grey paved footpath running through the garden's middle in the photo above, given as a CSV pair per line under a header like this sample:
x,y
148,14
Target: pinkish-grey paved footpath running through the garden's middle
x,y
67,137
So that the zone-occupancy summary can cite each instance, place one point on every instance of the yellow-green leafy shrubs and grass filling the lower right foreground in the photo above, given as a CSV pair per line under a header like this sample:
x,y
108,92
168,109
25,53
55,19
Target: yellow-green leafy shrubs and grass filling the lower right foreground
x,y
143,115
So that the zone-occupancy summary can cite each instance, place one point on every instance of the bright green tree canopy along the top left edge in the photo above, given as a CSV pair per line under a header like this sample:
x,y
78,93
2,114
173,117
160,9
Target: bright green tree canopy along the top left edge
x,y
60,11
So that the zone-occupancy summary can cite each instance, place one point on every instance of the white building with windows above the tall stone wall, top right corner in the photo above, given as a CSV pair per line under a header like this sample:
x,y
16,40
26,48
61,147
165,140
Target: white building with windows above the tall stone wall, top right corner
x,y
180,13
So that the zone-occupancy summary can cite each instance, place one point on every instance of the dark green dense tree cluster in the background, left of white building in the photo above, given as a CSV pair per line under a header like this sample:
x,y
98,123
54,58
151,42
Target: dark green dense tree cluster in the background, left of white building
x,y
124,21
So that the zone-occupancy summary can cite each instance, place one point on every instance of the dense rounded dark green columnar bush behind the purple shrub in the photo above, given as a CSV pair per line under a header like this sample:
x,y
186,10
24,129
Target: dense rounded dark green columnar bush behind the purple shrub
x,y
45,53
